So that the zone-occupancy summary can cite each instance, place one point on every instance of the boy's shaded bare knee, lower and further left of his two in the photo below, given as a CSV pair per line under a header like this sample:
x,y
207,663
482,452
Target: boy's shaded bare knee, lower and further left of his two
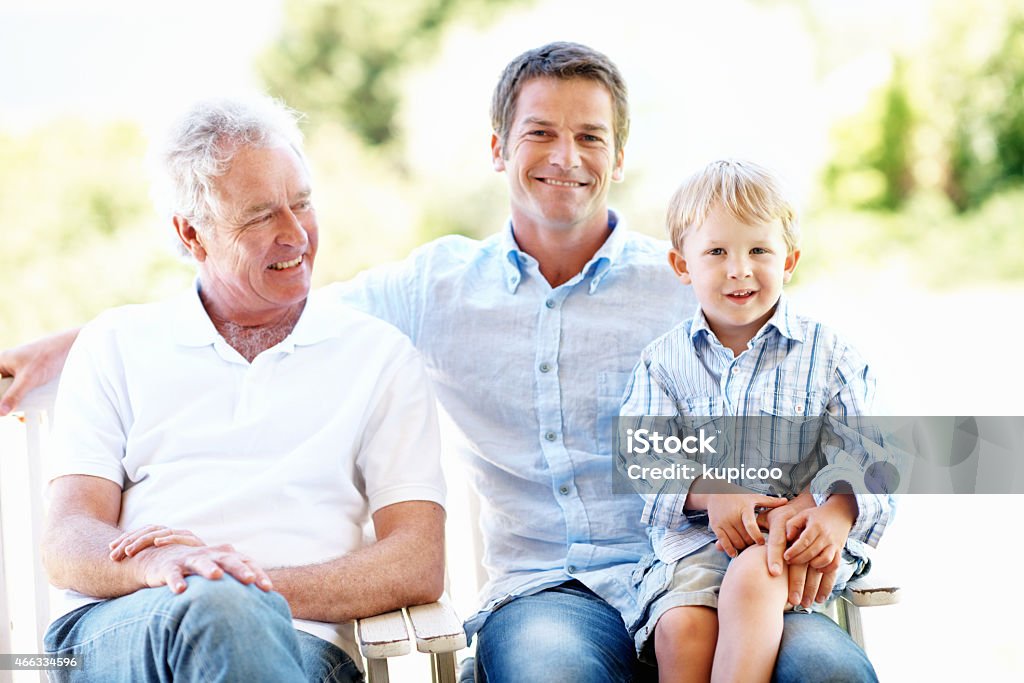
x,y
685,645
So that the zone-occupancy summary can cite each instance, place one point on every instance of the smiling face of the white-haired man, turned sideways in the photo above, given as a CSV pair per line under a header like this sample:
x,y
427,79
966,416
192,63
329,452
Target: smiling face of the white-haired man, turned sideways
x,y
257,260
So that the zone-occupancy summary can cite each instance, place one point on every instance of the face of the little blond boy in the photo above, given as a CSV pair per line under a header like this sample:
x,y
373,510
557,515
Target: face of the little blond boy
x,y
738,272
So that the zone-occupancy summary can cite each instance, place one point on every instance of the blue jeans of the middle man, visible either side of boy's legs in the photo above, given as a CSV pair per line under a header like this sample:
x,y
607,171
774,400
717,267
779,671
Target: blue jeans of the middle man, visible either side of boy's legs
x,y
570,634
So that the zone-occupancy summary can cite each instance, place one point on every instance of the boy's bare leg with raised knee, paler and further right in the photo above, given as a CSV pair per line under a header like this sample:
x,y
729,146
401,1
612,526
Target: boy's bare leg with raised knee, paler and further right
x,y
750,614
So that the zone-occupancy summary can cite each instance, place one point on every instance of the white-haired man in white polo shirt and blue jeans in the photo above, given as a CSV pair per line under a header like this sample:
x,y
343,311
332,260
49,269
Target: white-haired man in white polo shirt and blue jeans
x,y
220,454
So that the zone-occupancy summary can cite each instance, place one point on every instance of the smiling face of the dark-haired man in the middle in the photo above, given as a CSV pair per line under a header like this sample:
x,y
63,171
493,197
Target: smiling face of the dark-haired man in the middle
x,y
561,155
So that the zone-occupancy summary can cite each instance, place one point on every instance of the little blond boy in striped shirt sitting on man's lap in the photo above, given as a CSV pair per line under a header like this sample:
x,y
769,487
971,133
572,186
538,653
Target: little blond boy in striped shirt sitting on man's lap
x,y
747,353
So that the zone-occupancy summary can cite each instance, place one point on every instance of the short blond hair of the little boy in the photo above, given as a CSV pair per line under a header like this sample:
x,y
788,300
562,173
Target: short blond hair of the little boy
x,y
751,193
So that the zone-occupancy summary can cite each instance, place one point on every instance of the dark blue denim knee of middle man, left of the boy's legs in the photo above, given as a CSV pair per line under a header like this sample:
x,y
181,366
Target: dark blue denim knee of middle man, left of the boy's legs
x,y
566,633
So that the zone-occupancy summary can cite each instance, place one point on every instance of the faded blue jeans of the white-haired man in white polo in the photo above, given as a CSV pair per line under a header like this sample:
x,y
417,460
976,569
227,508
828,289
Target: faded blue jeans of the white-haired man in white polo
x,y
216,631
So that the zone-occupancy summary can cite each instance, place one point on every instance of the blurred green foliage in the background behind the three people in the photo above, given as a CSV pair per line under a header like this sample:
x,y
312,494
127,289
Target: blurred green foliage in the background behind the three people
x,y
925,177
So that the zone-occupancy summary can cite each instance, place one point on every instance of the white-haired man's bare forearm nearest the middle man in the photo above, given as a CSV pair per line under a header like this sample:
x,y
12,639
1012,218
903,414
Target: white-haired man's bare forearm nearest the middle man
x,y
406,568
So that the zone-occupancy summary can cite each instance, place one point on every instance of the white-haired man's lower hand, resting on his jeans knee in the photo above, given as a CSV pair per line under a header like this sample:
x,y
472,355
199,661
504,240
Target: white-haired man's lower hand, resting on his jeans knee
x,y
169,565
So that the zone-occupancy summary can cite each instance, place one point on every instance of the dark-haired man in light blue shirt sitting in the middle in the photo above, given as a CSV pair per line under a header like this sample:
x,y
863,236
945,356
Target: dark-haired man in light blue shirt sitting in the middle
x,y
520,333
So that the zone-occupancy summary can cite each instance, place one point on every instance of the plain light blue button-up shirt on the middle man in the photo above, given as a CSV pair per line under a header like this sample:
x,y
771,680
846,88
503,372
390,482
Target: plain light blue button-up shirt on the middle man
x,y
534,377
